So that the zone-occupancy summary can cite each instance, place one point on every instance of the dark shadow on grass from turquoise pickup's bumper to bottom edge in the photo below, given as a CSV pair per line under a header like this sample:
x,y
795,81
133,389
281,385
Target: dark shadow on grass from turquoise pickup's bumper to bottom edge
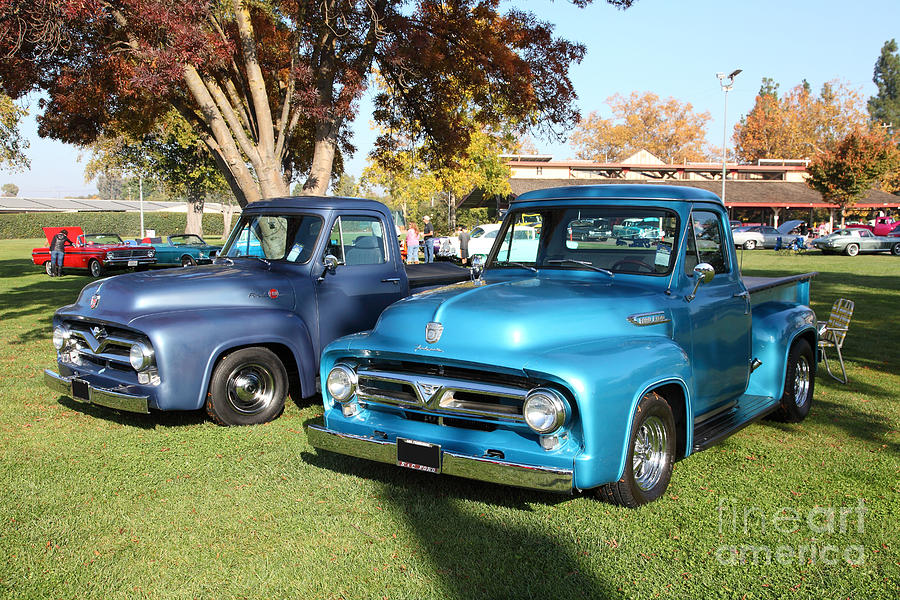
x,y
476,555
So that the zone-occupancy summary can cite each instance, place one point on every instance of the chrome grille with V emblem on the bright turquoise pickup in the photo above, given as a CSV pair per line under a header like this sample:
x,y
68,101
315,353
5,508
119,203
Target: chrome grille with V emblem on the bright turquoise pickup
x,y
445,394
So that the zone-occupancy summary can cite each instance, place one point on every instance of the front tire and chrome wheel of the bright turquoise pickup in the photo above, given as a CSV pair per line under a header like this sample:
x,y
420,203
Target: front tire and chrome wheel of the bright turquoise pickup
x,y
652,425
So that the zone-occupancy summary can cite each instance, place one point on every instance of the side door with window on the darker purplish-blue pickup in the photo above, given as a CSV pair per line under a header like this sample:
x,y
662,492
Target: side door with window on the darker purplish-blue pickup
x,y
367,278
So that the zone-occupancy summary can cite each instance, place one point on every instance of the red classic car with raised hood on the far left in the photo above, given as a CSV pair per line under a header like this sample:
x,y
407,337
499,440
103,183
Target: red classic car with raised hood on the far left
x,y
96,252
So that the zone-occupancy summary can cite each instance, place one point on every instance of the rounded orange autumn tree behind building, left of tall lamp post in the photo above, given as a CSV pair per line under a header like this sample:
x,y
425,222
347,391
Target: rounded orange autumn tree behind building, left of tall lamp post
x,y
668,129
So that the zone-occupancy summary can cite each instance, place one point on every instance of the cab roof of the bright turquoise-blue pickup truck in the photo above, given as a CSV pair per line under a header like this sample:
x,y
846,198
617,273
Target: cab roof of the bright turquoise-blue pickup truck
x,y
621,191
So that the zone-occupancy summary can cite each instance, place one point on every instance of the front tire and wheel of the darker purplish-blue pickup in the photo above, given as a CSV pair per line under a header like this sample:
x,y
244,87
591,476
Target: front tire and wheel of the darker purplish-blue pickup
x,y
248,387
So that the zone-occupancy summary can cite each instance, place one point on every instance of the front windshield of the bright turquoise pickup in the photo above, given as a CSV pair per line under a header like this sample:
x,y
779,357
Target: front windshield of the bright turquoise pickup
x,y
619,239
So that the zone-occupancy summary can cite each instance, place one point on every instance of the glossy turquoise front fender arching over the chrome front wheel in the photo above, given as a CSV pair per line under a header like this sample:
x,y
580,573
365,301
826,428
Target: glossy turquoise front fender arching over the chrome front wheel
x,y
607,379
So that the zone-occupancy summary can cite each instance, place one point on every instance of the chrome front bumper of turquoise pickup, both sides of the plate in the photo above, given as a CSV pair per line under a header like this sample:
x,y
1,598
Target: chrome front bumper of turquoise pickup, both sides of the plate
x,y
452,463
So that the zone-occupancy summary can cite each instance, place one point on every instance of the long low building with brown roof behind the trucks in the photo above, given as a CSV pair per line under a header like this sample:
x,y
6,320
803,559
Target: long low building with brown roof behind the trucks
x,y
768,192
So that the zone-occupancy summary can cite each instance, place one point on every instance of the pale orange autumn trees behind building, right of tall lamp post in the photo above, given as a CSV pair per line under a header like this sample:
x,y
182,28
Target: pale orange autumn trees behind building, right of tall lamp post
x,y
798,124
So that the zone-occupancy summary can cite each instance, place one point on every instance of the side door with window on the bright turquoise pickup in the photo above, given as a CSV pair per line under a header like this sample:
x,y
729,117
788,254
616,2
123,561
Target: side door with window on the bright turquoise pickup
x,y
720,316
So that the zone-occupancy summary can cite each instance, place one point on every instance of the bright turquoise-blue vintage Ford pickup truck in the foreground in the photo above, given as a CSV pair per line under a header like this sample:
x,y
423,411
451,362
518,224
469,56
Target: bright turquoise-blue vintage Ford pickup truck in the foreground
x,y
591,364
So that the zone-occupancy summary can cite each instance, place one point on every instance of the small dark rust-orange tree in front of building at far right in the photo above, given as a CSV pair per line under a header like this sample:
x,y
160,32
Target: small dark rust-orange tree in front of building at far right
x,y
844,174
